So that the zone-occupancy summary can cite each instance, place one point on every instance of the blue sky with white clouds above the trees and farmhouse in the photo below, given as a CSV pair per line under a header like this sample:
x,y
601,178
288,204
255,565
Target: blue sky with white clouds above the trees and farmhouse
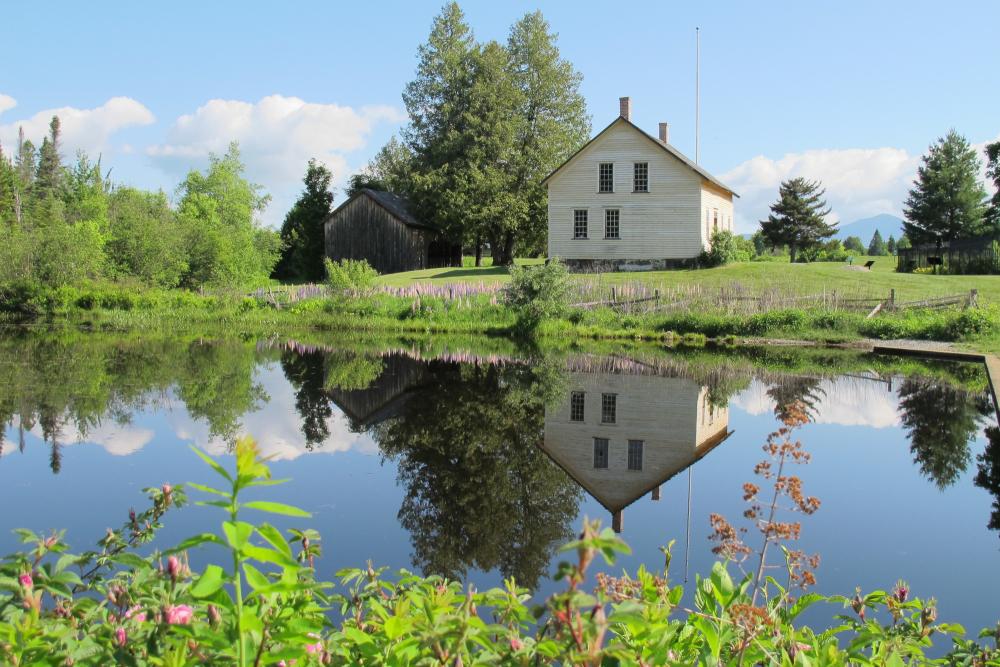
x,y
850,93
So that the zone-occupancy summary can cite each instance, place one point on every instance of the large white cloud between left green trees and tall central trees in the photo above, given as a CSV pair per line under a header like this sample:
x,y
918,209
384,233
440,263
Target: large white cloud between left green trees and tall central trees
x,y
277,135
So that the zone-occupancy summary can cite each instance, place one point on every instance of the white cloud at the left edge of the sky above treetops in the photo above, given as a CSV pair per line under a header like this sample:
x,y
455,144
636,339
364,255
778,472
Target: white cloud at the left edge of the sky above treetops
x,y
82,129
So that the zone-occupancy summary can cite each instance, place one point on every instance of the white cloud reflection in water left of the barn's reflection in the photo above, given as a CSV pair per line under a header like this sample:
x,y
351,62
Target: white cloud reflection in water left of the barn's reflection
x,y
277,426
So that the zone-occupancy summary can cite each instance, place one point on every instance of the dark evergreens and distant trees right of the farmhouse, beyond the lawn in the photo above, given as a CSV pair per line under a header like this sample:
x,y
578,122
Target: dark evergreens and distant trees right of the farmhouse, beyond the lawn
x,y
948,201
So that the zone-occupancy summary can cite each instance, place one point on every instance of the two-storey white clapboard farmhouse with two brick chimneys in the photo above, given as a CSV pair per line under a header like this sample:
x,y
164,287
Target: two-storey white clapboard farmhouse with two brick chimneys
x,y
628,201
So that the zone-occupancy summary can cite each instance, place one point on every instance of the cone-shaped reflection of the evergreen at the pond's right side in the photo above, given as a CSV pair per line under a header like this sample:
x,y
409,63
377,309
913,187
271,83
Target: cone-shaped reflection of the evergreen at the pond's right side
x,y
941,421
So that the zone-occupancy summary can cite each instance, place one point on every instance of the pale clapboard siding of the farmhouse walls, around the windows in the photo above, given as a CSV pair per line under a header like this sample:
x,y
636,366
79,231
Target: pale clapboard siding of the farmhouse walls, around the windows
x,y
664,223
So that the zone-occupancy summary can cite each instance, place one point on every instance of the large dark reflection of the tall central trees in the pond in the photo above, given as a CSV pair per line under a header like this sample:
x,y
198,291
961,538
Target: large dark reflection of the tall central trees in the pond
x,y
480,492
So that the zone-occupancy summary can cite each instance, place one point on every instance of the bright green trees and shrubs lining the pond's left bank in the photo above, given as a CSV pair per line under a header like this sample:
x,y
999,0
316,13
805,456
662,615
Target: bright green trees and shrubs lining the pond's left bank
x,y
66,223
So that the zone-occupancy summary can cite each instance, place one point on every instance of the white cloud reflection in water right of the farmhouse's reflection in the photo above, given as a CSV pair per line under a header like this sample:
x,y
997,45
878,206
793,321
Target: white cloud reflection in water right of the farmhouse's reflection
x,y
845,401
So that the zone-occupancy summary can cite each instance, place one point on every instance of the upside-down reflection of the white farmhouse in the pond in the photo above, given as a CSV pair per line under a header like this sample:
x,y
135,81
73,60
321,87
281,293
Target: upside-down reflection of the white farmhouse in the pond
x,y
620,436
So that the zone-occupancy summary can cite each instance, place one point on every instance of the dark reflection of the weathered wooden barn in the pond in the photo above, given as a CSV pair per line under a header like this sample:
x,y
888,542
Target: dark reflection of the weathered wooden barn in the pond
x,y
385,397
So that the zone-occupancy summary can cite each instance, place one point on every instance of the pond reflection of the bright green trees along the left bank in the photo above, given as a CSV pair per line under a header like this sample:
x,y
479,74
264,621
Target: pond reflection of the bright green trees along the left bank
x,y
58,383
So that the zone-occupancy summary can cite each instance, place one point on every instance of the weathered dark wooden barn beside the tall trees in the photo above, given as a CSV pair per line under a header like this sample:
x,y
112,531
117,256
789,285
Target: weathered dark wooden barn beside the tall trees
x,y
379,227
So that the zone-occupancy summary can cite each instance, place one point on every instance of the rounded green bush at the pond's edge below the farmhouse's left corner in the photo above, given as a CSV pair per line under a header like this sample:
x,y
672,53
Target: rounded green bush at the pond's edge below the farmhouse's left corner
x,y
536,293
